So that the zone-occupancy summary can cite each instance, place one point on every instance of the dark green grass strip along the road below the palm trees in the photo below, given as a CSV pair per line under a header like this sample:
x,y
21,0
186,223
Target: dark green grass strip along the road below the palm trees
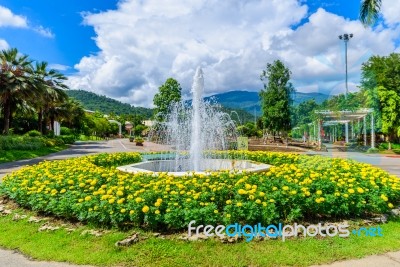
x,y
13,155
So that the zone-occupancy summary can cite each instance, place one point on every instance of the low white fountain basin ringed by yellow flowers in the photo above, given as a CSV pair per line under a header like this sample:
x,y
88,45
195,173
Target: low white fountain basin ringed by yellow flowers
x,y
207,166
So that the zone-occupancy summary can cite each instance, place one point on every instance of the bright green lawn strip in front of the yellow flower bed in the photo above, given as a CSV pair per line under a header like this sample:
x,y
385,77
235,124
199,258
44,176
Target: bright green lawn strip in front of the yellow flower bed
x,y
75,248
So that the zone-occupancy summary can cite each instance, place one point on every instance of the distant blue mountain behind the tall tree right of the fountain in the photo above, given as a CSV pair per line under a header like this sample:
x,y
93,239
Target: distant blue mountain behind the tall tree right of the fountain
x,y
250,101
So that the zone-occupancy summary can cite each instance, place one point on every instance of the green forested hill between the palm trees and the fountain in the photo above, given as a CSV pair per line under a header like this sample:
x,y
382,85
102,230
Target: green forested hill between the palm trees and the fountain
x,y
106,105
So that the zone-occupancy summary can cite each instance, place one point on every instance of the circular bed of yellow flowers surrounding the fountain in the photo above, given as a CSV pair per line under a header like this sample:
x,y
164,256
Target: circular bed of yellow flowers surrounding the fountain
x,y
297,187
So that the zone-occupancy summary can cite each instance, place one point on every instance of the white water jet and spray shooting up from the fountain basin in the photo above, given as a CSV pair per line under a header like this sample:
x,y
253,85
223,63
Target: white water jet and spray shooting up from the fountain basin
x,y
192,129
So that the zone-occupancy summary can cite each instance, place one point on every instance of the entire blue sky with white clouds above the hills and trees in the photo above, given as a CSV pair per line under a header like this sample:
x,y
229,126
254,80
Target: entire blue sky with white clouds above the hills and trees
x,y
126,49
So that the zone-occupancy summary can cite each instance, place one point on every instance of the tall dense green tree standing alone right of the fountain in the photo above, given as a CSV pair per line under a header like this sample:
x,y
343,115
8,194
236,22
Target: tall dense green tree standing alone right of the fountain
x,y
276,97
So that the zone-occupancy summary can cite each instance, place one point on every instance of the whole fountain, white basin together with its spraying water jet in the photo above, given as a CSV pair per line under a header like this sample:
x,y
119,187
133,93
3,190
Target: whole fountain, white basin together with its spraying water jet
x,y
193,131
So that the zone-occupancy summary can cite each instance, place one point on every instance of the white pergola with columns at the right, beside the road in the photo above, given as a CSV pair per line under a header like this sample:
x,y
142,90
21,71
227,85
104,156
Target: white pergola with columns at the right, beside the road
x,y
333,118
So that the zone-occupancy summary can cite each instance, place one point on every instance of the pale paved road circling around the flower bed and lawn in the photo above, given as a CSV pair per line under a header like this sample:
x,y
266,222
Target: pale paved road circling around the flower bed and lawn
x,y
9,258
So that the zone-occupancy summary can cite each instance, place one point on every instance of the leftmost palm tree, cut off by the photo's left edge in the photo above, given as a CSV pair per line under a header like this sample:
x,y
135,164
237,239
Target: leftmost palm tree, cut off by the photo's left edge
x,y
15,82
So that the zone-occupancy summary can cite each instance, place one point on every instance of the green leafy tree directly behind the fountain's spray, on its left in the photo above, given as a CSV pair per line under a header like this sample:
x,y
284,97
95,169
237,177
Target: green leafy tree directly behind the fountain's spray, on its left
x,y
168,93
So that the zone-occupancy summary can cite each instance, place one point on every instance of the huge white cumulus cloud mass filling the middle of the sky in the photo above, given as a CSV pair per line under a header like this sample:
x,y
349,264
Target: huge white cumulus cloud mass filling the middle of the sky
x,y
142,43
